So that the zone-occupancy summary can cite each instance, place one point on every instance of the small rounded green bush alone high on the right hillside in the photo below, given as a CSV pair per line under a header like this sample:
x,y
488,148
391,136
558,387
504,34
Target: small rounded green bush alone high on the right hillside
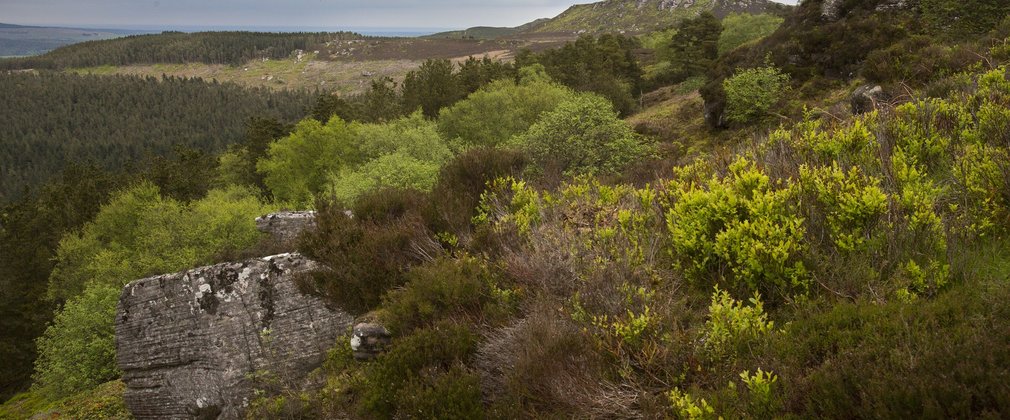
x,y
752,93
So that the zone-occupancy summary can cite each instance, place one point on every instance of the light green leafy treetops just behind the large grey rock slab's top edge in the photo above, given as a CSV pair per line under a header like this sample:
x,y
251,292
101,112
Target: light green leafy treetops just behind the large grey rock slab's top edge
x,y
141,234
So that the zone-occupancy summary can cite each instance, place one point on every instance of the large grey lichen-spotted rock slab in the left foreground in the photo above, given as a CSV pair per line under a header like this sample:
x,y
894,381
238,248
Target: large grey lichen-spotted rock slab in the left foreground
x,y
190,344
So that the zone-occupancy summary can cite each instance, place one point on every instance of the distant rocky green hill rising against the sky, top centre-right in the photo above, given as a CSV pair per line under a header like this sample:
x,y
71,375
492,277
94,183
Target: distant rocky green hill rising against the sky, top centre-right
x,y
647,16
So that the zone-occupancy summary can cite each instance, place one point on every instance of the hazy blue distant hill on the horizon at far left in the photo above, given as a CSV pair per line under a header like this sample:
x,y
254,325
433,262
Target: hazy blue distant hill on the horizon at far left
x,y
18,41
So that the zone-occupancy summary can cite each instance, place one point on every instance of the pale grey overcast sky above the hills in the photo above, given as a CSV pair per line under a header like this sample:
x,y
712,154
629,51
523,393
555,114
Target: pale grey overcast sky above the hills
x,y
289,14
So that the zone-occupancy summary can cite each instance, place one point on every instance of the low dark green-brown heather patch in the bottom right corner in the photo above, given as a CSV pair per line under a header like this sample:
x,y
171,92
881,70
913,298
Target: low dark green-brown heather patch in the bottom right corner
x,y
932,359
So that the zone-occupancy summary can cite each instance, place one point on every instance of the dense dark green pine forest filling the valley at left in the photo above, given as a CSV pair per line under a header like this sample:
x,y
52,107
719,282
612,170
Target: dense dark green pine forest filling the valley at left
x,y
52,121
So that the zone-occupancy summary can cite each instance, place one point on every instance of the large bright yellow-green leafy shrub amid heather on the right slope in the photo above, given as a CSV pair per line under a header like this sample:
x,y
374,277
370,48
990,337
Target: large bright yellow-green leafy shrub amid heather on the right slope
x,y
742,224
